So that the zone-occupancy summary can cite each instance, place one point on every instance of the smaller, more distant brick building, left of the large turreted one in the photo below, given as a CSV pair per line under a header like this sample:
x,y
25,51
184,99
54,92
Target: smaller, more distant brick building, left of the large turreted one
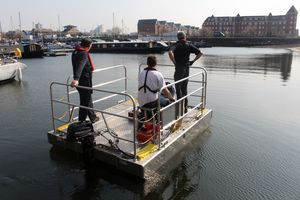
x,y
153,27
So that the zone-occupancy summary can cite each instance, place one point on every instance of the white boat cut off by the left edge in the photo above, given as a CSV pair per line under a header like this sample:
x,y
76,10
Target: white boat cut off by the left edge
x,y
10,69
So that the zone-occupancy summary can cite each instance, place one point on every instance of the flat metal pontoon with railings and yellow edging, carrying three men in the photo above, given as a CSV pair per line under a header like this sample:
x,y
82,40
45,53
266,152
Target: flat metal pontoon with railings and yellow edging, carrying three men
x,y
116,131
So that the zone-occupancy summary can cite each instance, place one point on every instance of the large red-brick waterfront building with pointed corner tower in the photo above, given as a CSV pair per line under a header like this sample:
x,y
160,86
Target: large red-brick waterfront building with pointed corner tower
x,y
254,26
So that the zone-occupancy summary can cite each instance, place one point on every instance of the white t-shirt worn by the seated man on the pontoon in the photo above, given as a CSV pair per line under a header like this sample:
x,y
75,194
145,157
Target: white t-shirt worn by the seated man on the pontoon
x,y
155,81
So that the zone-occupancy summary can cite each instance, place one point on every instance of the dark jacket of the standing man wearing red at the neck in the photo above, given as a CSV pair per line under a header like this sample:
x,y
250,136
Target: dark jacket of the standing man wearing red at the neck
x,y
82,68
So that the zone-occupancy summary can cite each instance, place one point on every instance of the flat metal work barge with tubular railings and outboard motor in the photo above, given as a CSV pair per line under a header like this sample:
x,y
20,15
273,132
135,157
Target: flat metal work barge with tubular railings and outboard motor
x,y
116,133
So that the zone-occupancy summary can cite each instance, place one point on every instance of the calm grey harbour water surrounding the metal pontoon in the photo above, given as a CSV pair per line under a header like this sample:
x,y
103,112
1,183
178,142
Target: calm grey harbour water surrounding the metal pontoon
x,y
251,150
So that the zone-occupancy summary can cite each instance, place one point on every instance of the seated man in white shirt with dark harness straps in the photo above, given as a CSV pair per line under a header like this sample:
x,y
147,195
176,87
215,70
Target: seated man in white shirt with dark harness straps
x,y
150,83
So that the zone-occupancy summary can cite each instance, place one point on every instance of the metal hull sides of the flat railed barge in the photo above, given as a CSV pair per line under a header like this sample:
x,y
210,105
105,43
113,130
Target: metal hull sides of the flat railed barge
x,y
143,168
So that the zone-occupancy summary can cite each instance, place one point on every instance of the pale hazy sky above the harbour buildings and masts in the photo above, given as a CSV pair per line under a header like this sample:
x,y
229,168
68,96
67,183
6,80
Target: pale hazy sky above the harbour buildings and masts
x,y
87,14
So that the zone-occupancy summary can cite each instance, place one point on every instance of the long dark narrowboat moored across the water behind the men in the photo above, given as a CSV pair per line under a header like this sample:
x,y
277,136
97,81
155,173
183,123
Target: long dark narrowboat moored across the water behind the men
x,y
129,47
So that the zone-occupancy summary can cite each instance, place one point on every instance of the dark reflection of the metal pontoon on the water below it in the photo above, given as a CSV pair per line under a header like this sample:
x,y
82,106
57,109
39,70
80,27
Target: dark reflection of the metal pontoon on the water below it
x,y
176,179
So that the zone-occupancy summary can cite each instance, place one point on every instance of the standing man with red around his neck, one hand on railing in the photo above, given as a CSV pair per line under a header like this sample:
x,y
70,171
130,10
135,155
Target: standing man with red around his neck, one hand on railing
x,y
83,68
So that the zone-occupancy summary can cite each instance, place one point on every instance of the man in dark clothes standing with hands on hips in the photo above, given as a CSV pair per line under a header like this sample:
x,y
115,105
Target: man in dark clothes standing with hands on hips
x,y
179,54
